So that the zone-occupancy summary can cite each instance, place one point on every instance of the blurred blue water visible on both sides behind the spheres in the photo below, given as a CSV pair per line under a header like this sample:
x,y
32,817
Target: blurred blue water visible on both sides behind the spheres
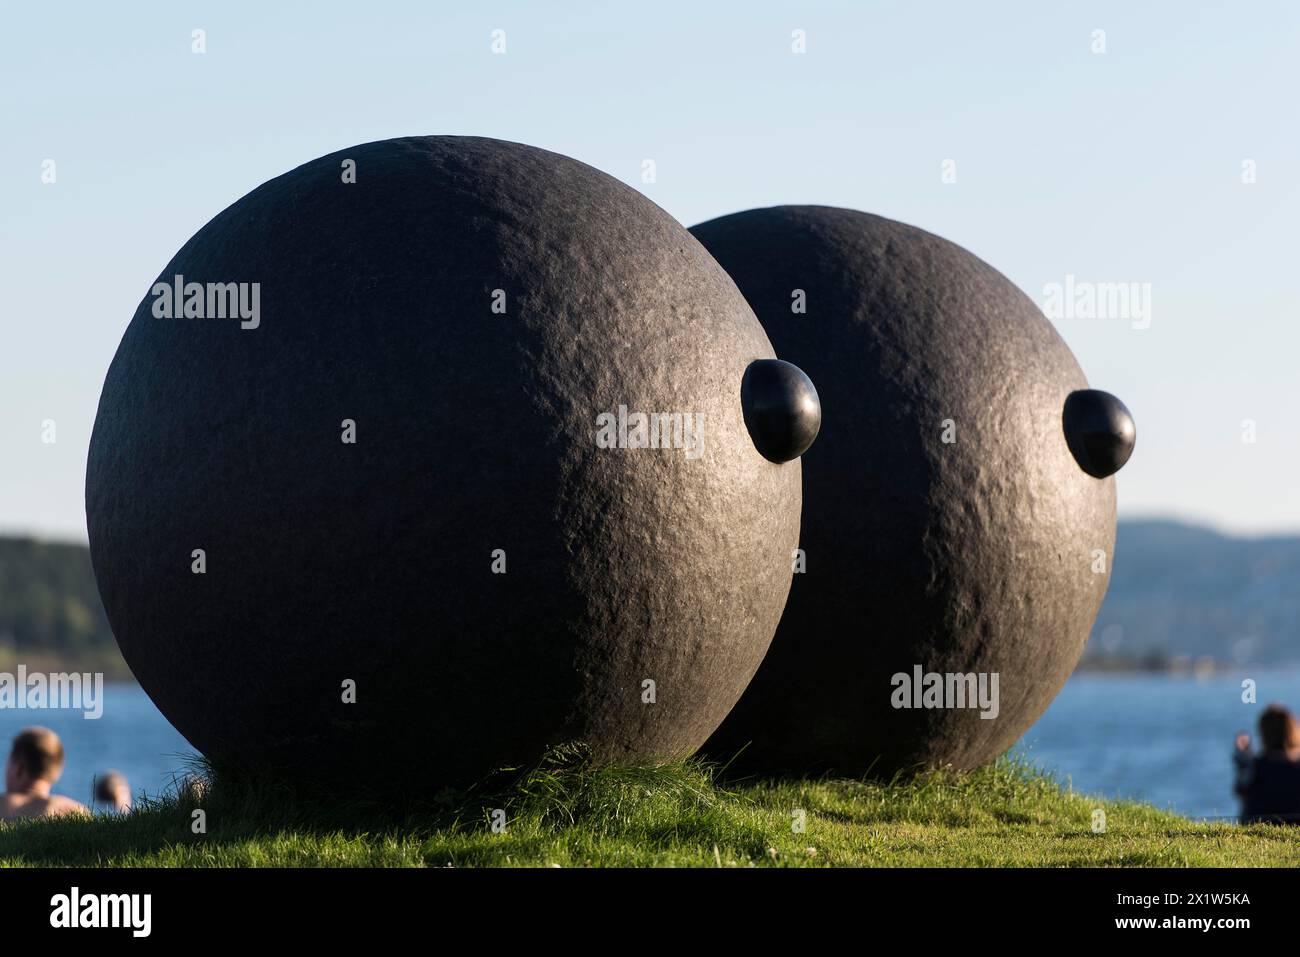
x,y
1154,738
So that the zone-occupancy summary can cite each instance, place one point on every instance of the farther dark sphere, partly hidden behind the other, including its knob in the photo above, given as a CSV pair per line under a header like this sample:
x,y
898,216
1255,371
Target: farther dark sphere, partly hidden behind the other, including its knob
x,y
948,529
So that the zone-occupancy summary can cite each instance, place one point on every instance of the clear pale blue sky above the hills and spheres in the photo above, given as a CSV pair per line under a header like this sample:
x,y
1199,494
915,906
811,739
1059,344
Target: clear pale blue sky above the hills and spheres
x,y
1117,167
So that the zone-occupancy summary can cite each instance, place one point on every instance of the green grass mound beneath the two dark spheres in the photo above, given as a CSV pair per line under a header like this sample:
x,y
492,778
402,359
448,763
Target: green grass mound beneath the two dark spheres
x,y
677,816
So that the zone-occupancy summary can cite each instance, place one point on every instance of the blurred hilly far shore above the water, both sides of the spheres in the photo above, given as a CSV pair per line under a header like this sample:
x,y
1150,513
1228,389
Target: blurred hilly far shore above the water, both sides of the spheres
x,y
1176,591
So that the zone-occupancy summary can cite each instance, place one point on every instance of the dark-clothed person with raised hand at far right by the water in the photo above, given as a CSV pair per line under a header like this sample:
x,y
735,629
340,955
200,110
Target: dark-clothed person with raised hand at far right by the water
x,y
1269,782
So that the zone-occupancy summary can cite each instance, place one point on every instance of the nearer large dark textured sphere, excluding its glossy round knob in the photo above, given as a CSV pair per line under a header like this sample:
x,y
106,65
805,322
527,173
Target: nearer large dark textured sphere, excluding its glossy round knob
x,y
414,514
